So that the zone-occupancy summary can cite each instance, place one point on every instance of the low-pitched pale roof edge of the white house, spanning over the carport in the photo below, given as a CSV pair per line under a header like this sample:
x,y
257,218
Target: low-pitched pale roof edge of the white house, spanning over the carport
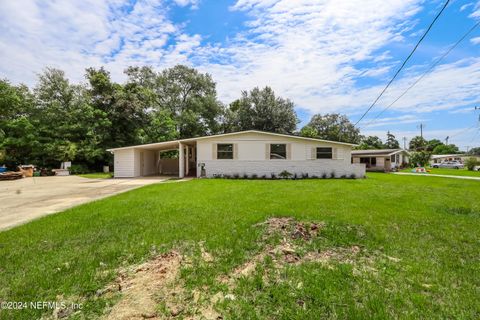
x,y
174,143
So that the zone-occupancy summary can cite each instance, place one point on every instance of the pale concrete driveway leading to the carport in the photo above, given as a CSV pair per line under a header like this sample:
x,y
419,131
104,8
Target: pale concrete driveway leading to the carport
x,y
29,198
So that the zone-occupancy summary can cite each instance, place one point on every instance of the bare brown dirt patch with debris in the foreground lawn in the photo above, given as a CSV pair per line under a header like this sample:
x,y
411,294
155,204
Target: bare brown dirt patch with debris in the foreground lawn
x,y
155,289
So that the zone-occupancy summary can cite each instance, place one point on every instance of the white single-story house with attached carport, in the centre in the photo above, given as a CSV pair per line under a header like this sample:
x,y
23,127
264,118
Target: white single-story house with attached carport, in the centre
x,y
242,153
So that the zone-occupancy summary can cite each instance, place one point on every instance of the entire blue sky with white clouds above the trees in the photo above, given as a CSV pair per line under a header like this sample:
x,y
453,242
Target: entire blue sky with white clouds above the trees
x,y
325,55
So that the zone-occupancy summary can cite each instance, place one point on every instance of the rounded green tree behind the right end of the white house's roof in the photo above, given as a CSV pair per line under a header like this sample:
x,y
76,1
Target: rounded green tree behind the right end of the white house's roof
x,y
333,127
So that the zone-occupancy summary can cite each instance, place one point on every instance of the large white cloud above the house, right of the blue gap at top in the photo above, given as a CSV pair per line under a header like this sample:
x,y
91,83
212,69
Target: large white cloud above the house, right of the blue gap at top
x,y
306,50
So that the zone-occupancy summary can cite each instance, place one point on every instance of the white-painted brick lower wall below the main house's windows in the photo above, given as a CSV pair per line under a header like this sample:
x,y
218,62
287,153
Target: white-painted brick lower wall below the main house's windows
x,y
267,167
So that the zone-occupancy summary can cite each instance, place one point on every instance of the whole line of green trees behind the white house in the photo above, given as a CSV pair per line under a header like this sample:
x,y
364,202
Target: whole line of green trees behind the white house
x,y
58,121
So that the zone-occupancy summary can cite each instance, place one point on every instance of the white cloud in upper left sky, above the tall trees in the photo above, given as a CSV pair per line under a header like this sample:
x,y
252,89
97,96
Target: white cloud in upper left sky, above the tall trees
x,y
74,35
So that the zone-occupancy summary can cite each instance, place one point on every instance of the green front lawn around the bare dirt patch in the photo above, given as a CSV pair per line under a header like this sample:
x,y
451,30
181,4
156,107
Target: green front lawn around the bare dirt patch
x,y
419,245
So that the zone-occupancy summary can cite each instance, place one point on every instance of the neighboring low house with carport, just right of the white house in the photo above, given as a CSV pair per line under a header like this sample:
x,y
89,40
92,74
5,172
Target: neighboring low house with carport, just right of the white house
x,y
381,159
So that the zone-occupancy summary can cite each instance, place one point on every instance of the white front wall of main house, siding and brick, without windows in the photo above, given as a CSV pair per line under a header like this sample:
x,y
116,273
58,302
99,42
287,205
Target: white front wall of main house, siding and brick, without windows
x,y
252,151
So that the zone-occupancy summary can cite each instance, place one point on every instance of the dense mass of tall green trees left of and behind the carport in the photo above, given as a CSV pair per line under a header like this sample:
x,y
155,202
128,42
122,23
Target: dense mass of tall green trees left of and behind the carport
x,y
58,121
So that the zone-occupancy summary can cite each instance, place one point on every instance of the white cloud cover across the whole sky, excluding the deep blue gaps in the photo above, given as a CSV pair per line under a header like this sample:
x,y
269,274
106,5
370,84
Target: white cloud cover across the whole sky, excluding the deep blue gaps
x,y
311,51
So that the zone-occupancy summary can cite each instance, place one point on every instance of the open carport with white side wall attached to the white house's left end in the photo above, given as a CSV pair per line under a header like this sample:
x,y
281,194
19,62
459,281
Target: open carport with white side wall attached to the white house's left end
x,y
150,160
